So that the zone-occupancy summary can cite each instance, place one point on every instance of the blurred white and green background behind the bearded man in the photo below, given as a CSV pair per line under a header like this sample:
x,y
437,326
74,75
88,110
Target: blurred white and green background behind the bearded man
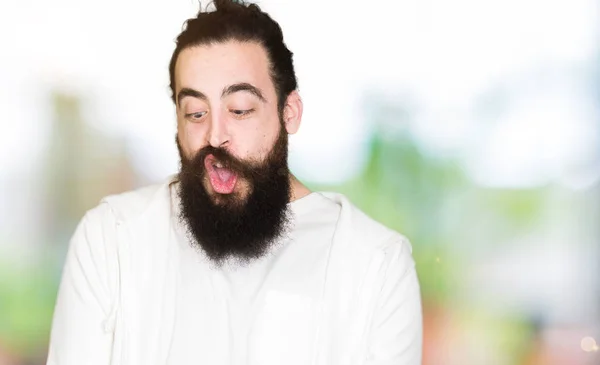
x,y
473,127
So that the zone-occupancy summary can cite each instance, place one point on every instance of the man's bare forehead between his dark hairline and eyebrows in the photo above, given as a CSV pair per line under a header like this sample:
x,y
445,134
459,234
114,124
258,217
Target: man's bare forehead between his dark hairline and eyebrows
x,y
210,67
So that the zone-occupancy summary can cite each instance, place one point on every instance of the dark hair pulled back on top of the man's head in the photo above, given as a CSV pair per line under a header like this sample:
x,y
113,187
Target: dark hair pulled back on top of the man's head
x,y
237,20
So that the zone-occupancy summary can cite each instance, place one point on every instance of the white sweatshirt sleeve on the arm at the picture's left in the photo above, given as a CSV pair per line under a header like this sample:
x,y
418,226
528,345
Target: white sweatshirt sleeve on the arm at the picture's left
x,y
81,326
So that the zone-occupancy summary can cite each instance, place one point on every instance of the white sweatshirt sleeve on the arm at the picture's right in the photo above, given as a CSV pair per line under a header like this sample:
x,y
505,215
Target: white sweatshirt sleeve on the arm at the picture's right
x,y
396,336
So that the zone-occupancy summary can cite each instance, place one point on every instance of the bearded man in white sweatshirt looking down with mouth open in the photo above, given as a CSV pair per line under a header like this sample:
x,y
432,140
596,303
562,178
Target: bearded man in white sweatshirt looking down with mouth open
x,y
235,261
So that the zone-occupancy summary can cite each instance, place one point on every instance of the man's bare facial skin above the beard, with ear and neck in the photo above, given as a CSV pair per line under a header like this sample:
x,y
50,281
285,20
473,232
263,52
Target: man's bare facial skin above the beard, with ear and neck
x,y
226,98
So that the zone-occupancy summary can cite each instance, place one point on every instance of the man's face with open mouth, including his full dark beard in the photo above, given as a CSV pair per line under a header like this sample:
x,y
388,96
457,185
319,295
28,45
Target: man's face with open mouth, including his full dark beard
x,y
234,177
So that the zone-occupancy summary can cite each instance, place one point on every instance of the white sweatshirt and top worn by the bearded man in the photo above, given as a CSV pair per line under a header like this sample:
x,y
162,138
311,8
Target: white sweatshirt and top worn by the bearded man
x,y
340,289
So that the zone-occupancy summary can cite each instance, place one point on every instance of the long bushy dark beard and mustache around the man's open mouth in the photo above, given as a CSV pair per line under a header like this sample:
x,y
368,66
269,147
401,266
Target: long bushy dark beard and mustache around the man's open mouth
x,y
242,225
